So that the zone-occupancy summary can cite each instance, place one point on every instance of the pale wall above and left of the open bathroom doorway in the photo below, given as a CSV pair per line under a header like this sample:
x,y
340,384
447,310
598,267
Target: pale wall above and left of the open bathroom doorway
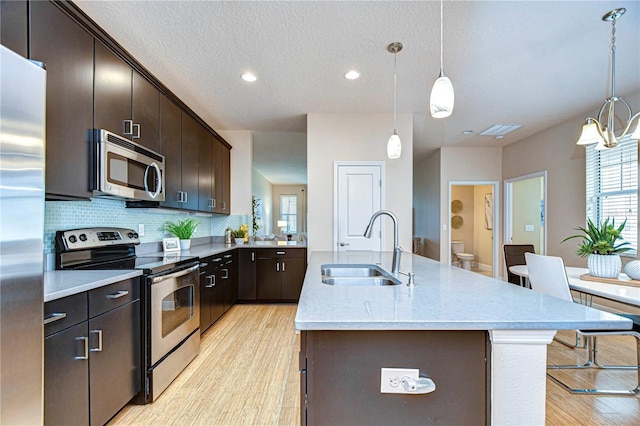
x,y
465,164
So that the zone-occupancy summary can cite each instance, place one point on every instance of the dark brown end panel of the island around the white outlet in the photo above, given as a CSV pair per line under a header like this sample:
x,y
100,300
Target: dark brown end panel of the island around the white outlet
x,y
340,377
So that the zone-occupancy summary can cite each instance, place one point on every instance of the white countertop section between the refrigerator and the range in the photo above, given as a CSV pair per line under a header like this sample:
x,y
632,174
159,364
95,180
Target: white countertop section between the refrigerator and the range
x,y
59,284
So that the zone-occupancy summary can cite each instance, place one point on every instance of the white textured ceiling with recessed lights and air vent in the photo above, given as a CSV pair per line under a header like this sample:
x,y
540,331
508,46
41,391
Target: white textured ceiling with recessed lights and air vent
x,y
534,63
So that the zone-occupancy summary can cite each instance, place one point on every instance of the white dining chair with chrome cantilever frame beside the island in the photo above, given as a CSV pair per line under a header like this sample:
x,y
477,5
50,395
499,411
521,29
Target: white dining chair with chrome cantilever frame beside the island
x,y
548,275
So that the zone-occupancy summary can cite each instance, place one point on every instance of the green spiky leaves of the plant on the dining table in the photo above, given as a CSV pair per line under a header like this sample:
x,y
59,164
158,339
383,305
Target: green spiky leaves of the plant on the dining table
x,y
600,240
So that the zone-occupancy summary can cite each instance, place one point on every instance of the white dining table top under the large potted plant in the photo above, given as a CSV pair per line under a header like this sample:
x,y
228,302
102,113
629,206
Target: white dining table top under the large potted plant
x,y
627,294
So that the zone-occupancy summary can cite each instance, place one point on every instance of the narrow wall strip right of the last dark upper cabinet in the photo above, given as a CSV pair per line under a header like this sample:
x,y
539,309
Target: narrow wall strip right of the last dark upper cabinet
x,y
241,169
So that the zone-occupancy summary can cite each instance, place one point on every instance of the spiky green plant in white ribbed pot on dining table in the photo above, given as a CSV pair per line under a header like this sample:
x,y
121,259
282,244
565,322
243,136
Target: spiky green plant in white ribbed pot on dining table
x,y
600,246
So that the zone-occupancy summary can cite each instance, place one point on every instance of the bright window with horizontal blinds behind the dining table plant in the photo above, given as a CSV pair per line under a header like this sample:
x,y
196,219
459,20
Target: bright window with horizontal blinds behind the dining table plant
x,y
612,187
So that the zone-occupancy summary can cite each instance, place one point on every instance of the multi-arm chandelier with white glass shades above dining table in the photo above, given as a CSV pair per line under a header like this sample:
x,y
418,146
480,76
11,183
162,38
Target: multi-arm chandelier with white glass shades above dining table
x,y
597,131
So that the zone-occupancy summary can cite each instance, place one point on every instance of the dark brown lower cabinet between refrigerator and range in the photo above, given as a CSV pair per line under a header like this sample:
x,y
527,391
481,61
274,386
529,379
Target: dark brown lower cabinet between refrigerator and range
x,y
92,354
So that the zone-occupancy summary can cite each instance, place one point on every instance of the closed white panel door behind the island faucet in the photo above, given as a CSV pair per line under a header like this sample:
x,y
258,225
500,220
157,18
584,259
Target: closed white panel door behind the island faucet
x,y
359,194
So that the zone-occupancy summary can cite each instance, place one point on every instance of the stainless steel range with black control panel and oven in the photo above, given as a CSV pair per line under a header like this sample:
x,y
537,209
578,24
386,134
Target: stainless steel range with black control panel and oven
x,y
170,298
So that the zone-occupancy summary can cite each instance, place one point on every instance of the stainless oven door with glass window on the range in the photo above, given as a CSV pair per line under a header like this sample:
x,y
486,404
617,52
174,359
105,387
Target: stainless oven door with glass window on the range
x,y
174,310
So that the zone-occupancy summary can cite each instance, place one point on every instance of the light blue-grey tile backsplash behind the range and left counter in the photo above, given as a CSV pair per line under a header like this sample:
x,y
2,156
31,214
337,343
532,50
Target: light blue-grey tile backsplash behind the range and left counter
x,y
62,215
